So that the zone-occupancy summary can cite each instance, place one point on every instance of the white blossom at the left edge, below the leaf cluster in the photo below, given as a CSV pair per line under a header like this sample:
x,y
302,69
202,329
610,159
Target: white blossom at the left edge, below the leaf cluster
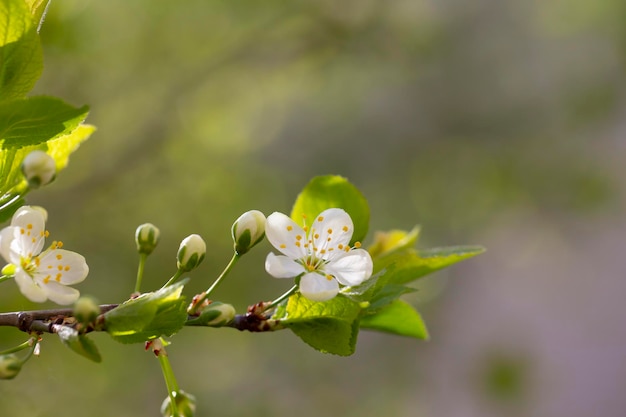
x,y
40,274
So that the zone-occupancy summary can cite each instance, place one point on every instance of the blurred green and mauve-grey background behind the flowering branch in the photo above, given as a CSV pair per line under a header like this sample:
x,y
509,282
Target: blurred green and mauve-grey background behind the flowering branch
x,y
487,122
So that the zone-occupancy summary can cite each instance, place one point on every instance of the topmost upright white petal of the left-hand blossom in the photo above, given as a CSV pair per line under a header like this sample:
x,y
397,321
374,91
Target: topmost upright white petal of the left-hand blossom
x,y
32,225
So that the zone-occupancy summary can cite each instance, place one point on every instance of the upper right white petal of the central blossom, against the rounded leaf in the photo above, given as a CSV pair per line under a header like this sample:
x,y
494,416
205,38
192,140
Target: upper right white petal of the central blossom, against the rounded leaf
x,y
332,228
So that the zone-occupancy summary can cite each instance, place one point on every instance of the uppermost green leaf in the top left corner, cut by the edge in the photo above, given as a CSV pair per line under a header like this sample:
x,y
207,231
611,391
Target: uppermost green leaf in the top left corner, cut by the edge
x,y
21,58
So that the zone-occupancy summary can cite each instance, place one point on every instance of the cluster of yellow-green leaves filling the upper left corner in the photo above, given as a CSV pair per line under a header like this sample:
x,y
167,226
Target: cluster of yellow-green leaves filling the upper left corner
x,y
27,124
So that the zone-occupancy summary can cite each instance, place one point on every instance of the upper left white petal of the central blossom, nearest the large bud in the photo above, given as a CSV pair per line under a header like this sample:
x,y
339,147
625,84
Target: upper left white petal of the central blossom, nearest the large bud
x,y
285,235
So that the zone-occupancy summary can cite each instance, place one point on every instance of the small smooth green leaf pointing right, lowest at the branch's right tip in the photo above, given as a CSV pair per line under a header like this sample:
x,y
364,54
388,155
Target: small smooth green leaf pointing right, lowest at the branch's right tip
x,y
398,318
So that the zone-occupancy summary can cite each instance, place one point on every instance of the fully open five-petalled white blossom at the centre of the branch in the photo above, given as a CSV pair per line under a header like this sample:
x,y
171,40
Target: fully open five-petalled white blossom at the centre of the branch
x,y
321,254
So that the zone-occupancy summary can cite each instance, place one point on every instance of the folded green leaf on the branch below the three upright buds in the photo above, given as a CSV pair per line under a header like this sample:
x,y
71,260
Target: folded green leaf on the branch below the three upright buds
x,y
151,315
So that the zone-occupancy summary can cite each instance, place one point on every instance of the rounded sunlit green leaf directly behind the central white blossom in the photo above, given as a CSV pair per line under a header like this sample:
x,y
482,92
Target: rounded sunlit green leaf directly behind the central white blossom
x,y
332,191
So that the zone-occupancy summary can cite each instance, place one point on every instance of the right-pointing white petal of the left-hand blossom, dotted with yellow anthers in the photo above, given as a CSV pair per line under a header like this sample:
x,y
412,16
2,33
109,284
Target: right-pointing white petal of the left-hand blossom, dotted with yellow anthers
x,y
63,266
